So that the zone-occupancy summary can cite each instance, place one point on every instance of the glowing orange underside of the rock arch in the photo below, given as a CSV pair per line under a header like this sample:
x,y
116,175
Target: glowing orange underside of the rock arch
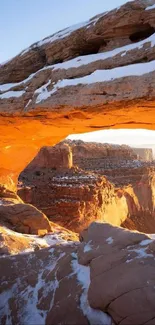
x,y
22,137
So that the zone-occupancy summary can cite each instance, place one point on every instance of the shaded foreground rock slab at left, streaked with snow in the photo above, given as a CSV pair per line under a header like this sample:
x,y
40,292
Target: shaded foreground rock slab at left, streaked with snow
x,y
52,291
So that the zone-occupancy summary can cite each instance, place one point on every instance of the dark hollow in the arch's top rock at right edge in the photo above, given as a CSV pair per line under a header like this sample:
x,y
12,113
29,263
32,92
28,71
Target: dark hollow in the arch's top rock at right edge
x,y
144,31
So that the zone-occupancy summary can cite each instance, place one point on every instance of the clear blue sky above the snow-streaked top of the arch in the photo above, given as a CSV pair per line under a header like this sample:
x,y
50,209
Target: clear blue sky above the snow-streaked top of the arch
x,y
23,22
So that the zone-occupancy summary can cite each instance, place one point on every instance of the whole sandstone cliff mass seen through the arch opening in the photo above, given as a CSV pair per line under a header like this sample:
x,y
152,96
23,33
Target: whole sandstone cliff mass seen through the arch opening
x,y
109,183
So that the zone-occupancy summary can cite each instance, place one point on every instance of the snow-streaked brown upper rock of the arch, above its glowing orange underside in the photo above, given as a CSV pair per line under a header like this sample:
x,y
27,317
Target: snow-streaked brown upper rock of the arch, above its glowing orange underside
x,y
132,25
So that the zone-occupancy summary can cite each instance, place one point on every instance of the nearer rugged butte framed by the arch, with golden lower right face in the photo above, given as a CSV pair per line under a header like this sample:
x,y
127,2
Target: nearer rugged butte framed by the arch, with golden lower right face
x,y
71,197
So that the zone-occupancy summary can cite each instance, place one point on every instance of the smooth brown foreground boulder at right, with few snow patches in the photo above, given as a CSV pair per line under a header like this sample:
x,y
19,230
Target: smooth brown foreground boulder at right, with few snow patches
x,y
122,267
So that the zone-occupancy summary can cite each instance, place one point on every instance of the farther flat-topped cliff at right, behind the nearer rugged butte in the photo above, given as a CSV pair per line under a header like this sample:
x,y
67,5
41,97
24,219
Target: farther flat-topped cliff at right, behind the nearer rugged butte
x,y
132,176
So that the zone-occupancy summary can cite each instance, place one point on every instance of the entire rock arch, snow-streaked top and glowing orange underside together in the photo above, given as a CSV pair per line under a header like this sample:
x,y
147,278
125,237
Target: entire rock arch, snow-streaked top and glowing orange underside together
x,y
96,75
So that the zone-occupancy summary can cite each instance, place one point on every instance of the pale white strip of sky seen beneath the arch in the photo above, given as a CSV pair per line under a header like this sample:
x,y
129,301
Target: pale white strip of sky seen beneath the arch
x,y
133,137
